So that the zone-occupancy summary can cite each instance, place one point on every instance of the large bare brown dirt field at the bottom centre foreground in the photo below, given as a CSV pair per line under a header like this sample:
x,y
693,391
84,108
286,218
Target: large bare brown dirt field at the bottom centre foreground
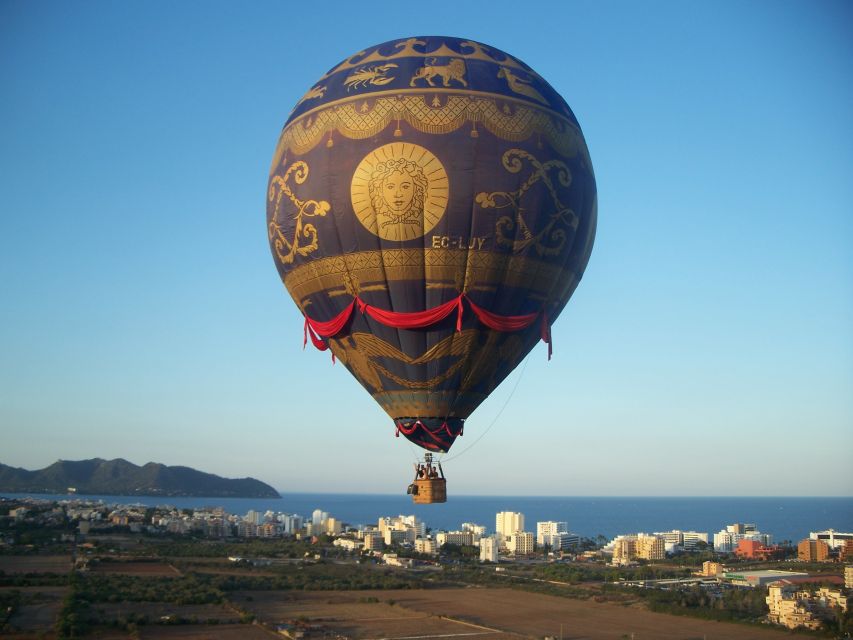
x,y
487,614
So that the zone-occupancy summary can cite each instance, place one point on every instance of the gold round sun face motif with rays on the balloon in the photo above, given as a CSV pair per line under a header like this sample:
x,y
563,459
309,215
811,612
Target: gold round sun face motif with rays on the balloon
x,y
399,191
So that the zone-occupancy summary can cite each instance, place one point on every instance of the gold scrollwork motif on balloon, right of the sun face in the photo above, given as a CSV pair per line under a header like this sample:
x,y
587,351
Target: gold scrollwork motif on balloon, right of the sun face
x,y
513,231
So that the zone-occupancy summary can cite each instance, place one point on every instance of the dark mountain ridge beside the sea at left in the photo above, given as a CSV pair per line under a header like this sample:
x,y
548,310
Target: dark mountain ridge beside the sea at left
x,y
98,476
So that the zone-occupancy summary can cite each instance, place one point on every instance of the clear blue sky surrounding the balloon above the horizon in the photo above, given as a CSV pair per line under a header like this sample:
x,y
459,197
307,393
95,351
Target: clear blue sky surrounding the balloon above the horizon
x,y
708,350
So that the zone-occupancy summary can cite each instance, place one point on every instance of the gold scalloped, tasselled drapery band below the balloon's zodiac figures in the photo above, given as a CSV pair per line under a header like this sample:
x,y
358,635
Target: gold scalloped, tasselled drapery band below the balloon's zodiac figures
x,y
360,120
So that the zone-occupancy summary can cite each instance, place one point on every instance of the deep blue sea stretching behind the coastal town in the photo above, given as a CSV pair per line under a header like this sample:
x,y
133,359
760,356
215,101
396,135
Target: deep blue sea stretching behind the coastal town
x,y
785,518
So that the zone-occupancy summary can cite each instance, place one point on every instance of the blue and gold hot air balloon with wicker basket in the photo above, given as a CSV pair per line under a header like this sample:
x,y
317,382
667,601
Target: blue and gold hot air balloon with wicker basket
x,y
431,208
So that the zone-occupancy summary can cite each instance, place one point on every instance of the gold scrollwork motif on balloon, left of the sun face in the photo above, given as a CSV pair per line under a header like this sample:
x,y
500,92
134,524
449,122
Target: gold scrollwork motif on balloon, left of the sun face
x,y
305,239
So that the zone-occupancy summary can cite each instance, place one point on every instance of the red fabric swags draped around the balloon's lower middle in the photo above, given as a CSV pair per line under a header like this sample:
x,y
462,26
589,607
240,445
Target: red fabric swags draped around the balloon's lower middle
x,y
319,332
